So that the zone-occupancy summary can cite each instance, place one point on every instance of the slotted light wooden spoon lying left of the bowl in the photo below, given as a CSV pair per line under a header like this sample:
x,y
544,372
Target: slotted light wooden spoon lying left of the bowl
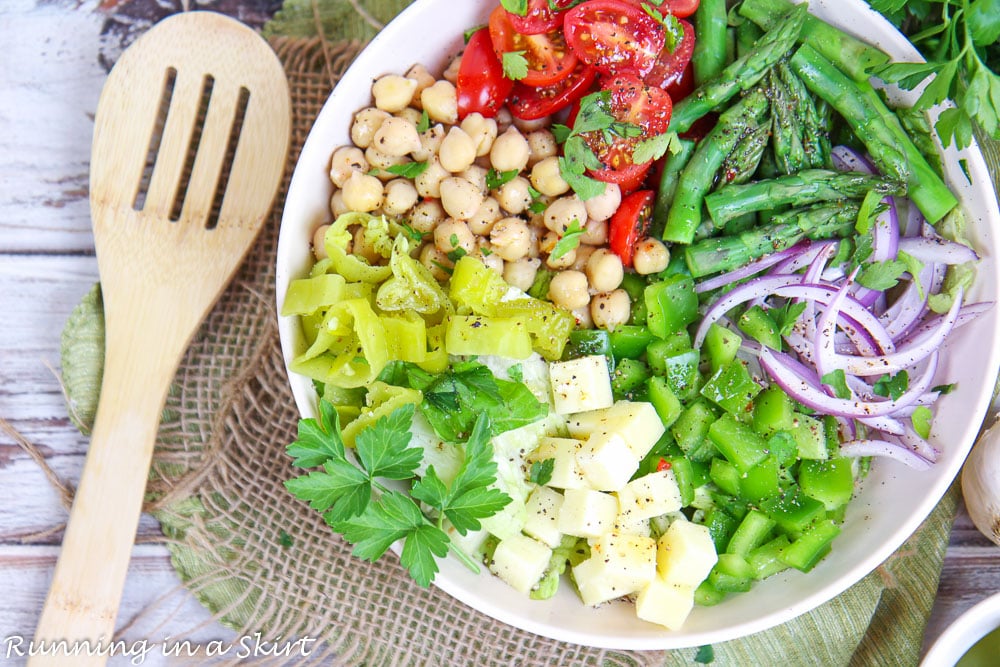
x,y
190,141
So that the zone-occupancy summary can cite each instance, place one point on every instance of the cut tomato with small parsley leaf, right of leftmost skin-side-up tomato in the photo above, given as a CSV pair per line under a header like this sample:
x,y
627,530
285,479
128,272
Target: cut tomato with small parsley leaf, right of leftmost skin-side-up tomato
x,y
549,59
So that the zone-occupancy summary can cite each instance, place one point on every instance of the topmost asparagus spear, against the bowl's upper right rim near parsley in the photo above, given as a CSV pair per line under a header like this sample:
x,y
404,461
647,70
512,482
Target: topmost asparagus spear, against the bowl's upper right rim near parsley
x,y
851,54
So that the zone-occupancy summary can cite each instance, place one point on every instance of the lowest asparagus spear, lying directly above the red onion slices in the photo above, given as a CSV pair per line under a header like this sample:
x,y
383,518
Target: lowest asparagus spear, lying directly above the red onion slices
x,y
726,253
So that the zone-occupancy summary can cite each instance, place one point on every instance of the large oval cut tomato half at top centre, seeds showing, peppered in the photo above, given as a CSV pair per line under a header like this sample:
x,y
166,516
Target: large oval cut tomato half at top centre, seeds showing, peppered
x,y
614,36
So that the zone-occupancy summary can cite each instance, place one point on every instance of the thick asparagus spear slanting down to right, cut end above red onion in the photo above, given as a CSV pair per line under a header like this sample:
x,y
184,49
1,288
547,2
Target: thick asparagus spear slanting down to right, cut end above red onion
x,y
878,129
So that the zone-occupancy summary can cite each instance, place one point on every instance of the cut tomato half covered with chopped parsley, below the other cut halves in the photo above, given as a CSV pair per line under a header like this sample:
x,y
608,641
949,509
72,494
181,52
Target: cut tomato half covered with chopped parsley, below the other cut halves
x,y
637,103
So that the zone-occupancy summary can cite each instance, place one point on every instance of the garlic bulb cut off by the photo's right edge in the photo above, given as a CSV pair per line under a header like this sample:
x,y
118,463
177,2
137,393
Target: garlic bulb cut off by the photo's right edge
x,y
981,482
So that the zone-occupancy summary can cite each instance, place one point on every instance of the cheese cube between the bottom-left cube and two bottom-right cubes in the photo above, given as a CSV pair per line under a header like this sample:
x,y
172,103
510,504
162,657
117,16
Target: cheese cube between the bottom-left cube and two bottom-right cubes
x,y
620,564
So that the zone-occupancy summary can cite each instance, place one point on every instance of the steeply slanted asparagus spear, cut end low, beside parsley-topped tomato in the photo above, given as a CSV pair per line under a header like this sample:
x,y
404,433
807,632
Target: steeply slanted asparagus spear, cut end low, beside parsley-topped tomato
x,y
697,178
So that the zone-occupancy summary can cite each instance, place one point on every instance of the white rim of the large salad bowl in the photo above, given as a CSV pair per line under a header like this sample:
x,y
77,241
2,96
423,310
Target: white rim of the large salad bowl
x,y
890,40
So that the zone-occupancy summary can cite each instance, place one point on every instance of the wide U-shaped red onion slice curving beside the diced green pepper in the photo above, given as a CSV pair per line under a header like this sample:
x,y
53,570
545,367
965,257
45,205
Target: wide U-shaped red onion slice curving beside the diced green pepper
x,y
777,365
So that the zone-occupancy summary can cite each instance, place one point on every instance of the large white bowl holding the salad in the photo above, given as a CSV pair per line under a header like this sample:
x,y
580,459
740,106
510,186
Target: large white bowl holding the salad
x,y
893,500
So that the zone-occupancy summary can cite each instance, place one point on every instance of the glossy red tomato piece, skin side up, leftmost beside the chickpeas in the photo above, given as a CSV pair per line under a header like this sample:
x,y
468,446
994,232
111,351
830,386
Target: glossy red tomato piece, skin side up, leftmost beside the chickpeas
x,y
481,84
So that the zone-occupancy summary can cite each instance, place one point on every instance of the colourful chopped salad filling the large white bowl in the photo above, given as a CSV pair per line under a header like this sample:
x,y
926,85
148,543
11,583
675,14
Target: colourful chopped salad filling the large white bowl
x,y
626,300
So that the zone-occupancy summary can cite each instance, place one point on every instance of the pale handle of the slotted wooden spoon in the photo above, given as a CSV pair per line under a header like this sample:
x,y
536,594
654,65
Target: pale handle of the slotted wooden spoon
x,y
82,604
